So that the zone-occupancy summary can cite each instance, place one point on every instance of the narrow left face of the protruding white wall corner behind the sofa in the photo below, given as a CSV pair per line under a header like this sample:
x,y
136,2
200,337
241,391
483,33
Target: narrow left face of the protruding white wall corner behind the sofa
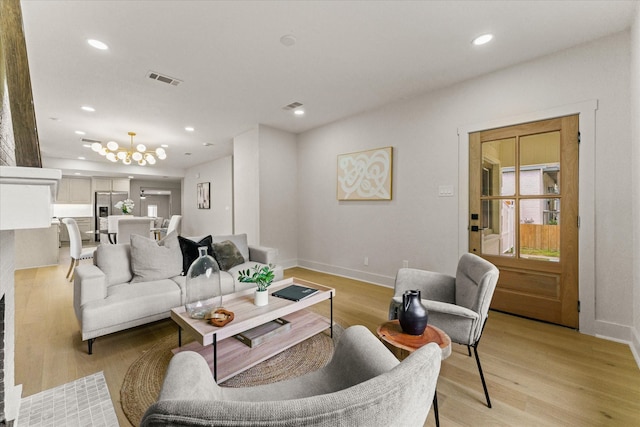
x,y
246,185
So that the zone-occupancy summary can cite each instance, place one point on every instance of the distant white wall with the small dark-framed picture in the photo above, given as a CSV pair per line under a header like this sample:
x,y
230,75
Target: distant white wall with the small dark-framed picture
x,y
218,219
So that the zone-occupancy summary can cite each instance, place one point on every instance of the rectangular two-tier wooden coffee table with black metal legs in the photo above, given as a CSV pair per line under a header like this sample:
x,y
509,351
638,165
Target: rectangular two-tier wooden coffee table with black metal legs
x,y
227,356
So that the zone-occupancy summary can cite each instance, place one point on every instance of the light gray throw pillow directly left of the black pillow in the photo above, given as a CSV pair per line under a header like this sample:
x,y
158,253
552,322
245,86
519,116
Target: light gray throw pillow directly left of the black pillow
x,y
152,260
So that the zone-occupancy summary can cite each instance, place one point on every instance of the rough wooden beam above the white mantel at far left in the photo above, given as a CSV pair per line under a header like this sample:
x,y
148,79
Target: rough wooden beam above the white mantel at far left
x,y
16,64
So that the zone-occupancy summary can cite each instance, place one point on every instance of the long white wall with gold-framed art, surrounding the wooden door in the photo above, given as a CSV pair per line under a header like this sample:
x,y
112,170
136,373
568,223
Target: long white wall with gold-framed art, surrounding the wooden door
x,y
421,227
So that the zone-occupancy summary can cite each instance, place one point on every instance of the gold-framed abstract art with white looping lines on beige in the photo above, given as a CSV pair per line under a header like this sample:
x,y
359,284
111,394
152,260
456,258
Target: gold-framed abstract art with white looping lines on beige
x,y
365,175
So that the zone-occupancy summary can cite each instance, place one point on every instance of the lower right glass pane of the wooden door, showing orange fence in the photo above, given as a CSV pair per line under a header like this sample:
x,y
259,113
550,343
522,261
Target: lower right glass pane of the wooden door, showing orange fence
x,y
540,229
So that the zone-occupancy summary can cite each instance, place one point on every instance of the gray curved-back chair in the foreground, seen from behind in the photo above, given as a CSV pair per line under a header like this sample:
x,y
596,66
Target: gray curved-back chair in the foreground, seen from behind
x,y
363,385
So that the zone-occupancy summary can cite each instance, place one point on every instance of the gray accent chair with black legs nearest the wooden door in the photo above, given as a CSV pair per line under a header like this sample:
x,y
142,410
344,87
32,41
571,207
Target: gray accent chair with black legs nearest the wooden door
x,y
458,305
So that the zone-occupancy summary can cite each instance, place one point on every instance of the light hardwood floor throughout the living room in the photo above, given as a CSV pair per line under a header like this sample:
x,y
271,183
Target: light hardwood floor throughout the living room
x,y
538,374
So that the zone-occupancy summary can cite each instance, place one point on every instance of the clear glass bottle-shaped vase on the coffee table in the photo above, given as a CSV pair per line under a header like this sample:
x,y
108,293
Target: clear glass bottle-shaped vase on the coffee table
x,y
203,287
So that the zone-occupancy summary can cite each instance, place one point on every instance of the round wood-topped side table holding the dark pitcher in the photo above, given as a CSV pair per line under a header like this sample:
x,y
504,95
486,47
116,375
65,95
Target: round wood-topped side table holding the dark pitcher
x,y
401,345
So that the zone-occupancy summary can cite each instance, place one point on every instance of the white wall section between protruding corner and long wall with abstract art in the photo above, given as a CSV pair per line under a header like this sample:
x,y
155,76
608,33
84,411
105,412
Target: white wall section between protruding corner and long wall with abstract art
x,y
278,193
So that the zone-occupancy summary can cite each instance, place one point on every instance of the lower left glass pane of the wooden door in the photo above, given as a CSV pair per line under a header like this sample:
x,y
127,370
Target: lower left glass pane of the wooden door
x,y
498,227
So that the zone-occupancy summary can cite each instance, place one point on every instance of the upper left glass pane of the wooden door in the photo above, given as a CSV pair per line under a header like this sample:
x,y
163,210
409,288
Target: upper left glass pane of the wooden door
x,y
498,161
